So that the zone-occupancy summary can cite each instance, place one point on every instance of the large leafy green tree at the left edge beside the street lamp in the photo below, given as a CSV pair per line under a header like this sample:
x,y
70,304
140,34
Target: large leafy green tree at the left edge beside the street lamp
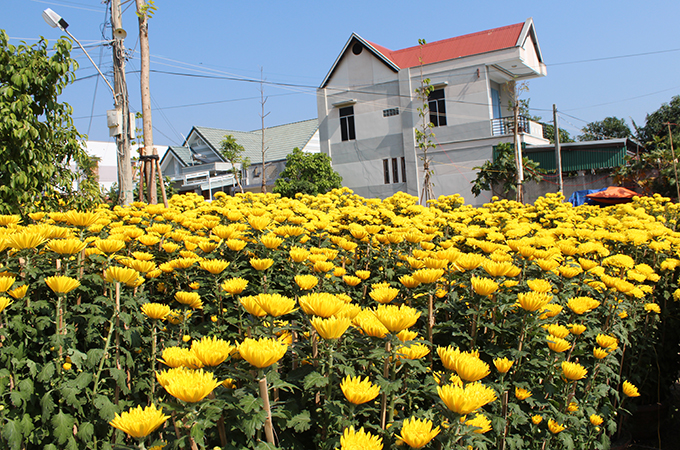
x,y
38,142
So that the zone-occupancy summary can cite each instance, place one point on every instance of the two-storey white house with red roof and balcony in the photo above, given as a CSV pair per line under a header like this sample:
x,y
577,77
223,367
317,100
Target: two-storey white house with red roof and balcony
x,y
367,108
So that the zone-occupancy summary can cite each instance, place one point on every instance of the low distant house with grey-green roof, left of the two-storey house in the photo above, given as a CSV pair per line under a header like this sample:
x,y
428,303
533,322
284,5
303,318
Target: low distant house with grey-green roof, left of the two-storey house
x,y
198,166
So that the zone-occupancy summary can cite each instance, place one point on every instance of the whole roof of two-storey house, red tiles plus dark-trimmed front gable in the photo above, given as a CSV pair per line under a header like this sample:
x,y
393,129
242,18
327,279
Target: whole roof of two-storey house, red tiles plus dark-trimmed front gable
x,y
457,47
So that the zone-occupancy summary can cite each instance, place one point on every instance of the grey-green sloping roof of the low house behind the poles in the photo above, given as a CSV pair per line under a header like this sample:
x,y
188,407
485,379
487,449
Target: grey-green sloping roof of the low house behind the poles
x,y
280,140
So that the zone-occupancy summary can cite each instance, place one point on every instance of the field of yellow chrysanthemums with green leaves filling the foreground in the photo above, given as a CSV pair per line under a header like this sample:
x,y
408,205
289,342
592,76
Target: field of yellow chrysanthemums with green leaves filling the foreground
x,y
335,322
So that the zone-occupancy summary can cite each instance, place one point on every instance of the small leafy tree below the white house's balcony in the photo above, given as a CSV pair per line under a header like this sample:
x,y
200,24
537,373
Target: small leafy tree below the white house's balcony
x,y
500,175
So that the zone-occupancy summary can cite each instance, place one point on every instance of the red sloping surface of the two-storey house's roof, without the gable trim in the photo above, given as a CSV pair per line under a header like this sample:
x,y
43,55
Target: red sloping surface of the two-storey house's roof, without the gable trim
x,y
470,44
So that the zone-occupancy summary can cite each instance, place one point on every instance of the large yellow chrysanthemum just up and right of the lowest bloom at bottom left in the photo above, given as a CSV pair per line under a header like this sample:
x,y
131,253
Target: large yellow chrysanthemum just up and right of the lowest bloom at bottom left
x,y
188,385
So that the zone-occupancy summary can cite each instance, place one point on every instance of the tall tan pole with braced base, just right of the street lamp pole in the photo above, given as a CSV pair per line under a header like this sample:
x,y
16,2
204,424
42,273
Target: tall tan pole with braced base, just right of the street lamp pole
x,y
148,159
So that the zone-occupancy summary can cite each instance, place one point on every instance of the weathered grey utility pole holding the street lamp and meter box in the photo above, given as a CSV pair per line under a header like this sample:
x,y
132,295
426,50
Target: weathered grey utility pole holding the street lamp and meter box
x,y
122,106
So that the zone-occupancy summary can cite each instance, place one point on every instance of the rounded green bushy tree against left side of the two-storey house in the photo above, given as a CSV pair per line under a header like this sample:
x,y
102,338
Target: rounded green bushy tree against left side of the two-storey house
x,y
307,173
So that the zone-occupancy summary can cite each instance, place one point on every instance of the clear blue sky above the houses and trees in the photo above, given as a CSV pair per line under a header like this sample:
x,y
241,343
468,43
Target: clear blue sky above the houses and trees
x,y
587,46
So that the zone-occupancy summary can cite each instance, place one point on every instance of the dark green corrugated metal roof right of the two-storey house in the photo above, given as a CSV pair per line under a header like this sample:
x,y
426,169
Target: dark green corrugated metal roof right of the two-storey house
x,y
605,154
